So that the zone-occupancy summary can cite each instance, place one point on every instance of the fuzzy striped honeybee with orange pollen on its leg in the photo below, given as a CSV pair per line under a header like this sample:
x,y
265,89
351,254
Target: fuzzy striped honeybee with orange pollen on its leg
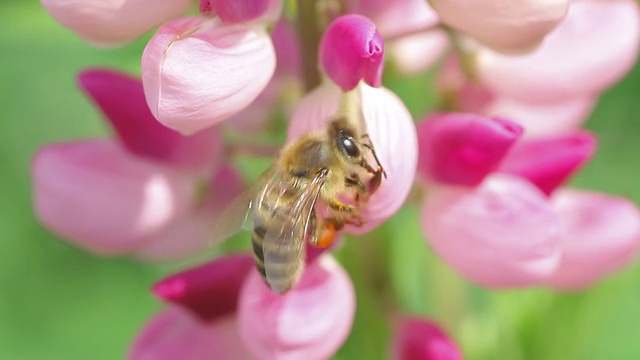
x,y
321,167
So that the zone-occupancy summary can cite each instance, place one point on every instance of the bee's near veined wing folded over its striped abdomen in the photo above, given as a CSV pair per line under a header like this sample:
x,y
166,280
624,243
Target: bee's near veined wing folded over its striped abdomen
x,y
284,244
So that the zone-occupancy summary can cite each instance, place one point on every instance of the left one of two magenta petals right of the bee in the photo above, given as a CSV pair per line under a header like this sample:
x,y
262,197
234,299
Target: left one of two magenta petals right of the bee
x,y
461,149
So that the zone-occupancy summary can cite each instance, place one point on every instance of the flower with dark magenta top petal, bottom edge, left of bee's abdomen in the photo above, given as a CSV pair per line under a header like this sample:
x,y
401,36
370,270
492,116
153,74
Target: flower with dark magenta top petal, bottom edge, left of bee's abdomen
x,y
201,320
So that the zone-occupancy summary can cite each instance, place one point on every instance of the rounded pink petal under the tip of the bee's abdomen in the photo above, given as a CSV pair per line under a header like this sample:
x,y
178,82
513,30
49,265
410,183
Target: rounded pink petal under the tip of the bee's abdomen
x,y
310,322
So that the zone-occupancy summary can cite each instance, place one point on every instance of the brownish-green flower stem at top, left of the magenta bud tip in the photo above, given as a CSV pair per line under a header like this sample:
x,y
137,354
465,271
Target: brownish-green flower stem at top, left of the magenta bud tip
x,y
309,32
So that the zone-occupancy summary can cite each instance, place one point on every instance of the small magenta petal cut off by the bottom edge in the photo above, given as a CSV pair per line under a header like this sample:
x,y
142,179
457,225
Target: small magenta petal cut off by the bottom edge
x,y
421,339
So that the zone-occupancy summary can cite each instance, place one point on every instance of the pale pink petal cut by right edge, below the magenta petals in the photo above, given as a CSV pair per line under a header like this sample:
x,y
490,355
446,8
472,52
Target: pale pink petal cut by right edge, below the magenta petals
x,y
601,235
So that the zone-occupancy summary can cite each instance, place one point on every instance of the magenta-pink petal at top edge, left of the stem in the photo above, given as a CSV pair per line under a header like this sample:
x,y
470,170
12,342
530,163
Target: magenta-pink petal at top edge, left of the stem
x,y
235,11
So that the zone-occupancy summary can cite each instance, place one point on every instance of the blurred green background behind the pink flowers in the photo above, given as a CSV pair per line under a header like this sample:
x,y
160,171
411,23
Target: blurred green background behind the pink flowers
x,y
57,302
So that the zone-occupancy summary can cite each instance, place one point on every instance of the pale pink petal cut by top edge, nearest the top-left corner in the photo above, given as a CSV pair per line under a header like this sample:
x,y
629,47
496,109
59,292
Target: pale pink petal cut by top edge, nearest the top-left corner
x,y
112,22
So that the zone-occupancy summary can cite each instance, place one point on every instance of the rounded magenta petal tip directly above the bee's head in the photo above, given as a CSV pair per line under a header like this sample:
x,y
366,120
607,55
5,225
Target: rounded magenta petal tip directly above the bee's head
x,y
352,50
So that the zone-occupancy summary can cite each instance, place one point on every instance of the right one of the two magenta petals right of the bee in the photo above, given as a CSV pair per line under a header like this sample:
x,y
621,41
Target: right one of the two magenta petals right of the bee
x,y
549,162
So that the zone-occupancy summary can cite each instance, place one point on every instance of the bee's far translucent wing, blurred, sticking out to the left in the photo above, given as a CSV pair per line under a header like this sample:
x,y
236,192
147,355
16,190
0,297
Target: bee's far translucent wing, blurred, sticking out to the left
x,y
239,214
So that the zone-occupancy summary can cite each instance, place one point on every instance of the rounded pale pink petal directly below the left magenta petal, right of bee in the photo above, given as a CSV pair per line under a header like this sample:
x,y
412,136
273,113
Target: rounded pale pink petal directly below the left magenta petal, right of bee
x,y
503,233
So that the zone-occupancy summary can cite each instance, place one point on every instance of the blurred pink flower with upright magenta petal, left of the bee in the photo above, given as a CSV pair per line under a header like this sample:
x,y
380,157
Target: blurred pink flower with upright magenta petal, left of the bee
x,y
132,195
